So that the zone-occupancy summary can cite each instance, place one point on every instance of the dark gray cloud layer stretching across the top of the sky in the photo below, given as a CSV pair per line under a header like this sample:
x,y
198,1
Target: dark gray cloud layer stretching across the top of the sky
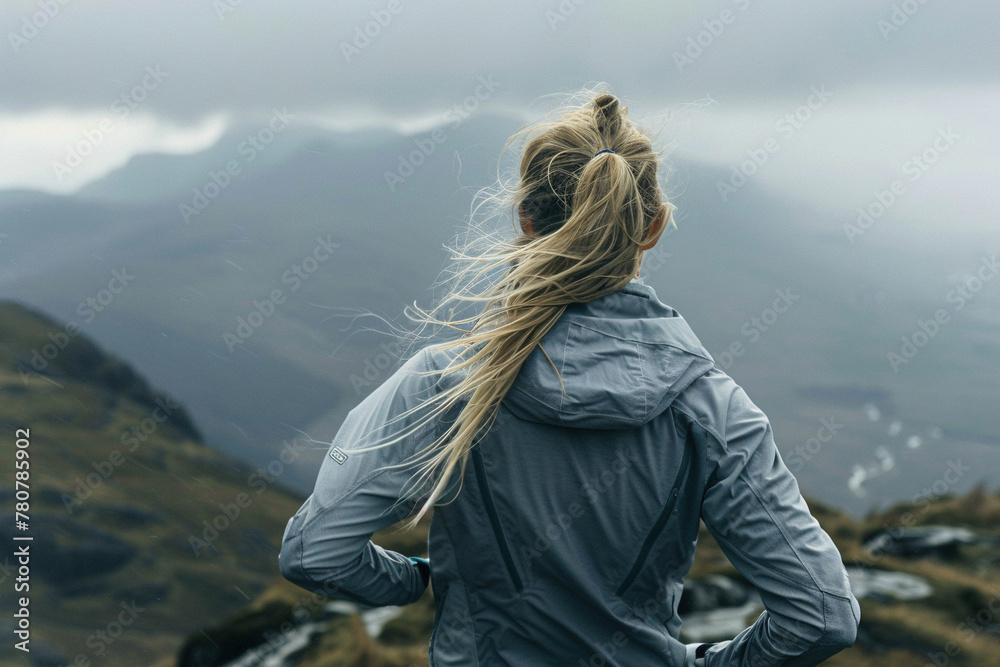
x,y
425,55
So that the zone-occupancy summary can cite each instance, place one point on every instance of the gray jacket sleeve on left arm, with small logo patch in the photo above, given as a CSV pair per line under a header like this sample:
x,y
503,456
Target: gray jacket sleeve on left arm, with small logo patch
x,y
327,547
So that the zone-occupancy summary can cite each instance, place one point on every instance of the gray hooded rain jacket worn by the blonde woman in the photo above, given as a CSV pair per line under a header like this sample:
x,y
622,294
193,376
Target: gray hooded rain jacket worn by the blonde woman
x,y
579,511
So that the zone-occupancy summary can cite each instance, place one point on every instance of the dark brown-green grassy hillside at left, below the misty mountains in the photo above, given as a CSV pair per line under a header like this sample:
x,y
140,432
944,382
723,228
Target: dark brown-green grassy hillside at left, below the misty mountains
x,y
142,534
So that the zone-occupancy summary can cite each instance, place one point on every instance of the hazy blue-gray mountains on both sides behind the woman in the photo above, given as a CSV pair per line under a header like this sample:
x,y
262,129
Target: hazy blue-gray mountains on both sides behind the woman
x,y
253,276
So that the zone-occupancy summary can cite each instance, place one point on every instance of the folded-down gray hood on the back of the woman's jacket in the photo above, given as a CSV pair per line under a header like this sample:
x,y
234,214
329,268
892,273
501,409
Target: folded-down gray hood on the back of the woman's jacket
x,y
623,358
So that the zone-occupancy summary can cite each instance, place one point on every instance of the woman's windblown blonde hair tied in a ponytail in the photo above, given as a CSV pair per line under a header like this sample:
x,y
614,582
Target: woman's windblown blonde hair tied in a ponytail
x,y
589,214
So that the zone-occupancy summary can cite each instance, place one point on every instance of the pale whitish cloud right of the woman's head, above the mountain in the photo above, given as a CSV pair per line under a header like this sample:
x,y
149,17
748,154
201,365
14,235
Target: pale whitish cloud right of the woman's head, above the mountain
x,y
937,141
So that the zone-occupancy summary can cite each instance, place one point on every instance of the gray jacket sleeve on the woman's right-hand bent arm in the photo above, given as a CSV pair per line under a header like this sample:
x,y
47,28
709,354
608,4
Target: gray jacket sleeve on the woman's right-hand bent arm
x,y
753,508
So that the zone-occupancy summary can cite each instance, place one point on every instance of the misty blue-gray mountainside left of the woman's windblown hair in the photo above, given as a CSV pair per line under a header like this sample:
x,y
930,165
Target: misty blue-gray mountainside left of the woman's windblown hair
x,y
293,219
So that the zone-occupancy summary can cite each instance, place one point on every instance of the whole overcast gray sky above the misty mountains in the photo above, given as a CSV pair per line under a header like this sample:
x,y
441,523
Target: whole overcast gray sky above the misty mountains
x,y
894,75
